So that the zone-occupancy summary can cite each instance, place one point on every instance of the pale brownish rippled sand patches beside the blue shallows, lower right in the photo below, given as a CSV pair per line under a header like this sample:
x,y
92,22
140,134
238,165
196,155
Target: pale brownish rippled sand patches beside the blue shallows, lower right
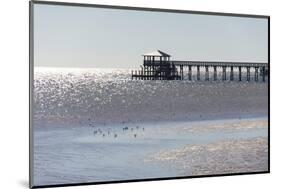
x,y
220,157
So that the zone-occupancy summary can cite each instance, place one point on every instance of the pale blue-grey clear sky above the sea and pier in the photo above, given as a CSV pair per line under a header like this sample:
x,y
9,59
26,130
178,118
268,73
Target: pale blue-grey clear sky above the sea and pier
x,y
66,36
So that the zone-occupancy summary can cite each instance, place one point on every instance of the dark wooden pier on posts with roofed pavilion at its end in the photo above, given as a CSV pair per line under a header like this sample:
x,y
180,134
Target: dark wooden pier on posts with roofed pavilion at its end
x,y
158,66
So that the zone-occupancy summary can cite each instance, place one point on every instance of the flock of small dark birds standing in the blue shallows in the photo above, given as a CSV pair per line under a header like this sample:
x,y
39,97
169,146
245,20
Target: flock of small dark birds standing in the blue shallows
x,y
99,131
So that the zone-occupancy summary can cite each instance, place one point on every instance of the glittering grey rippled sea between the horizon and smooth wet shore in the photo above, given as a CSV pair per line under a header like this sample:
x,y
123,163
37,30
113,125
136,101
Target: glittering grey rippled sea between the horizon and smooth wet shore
x,y
104,96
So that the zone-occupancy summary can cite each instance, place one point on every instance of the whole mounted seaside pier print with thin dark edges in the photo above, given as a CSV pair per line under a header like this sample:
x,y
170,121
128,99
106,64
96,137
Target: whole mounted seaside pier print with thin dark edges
x,y
125,94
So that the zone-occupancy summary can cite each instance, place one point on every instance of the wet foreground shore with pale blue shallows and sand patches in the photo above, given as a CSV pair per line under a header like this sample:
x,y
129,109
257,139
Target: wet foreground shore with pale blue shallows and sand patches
x,y
149,150
